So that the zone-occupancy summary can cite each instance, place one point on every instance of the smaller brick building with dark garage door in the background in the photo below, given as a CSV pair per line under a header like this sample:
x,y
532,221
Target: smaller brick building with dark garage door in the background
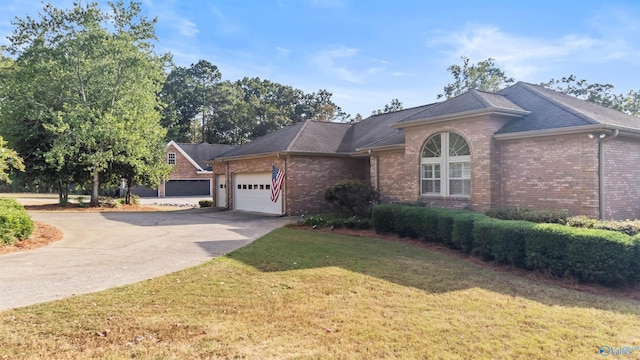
x,y
191,174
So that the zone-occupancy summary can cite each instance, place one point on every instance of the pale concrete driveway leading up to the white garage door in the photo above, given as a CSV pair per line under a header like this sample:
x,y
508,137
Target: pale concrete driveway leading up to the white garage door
x,y
108,249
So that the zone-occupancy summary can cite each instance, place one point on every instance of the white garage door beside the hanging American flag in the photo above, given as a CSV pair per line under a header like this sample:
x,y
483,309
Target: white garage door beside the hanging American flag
x,y
252,192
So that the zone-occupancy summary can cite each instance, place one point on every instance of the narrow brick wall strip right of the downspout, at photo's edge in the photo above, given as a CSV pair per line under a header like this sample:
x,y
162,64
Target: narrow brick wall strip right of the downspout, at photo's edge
x,y
622,178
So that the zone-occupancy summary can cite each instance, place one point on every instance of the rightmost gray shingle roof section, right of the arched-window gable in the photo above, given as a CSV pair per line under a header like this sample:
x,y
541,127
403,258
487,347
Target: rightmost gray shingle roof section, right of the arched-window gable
x,y
551,109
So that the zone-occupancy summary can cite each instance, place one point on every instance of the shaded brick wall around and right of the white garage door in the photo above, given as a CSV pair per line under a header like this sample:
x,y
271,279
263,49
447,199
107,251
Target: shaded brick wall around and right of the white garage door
x,y
307,177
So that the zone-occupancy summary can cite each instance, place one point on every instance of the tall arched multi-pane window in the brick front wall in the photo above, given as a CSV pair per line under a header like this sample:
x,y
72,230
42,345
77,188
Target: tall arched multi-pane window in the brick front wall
x,y
445,166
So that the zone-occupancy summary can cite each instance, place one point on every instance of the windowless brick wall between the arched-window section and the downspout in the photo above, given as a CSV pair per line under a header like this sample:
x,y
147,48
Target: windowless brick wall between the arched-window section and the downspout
x,y
550,173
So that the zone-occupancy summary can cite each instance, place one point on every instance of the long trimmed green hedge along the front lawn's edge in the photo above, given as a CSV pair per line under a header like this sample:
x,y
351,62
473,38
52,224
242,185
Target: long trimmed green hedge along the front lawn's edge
x,y
589,255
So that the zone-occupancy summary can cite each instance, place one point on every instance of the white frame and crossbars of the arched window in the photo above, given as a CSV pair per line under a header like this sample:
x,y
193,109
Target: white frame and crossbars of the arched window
x,y
444,160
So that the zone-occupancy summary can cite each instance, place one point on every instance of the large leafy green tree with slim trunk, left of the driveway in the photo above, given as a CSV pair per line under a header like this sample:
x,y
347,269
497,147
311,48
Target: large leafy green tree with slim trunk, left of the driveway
x,y
100,77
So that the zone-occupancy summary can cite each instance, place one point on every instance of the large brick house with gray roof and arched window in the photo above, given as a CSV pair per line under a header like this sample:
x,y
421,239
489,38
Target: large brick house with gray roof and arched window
x,y
525,146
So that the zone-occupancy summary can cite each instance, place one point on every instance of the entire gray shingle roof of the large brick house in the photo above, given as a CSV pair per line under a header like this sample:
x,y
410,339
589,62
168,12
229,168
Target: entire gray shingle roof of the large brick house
x,y
535,107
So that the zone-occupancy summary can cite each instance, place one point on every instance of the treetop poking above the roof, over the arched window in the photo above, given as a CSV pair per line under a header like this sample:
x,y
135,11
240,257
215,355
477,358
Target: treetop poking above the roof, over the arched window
x,y
484,75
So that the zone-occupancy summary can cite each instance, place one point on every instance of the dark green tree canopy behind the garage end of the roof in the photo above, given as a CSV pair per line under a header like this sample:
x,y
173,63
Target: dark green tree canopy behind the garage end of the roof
x,y
202,108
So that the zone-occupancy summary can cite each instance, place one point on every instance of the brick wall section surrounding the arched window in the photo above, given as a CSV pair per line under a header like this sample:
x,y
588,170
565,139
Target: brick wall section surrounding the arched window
x,y
485,166
